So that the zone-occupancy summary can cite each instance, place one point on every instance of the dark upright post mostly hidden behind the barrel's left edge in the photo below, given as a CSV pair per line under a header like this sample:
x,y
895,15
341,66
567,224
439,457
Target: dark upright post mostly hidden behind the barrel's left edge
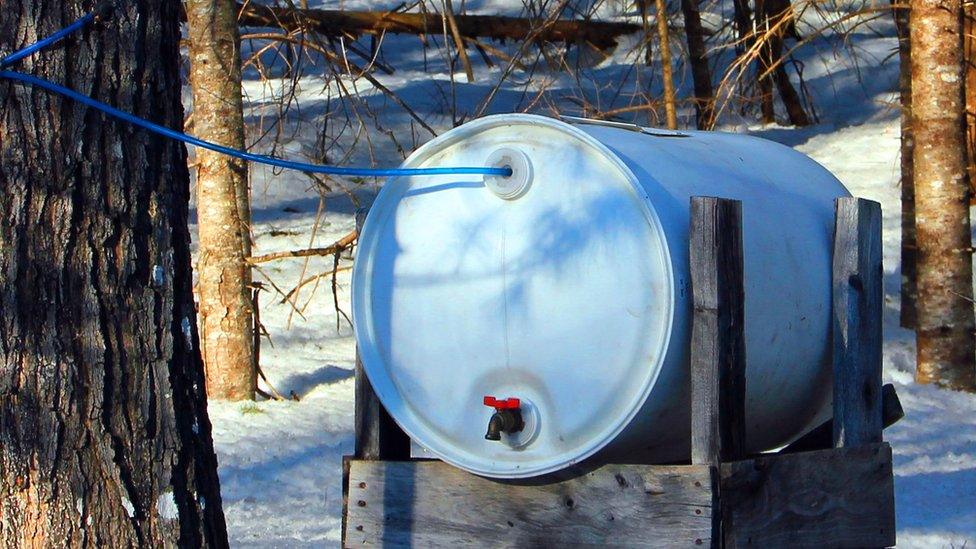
x,y
377,435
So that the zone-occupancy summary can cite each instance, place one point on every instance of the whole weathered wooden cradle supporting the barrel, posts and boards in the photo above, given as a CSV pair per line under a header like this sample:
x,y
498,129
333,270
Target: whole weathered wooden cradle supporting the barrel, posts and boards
x,y
832,488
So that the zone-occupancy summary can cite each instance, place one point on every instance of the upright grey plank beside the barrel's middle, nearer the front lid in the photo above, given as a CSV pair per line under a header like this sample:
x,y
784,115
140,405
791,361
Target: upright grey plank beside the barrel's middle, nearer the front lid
x,y
718,337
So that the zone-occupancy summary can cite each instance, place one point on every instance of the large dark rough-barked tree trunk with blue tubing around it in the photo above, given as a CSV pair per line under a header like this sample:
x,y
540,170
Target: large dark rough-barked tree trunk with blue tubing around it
x,y
104,434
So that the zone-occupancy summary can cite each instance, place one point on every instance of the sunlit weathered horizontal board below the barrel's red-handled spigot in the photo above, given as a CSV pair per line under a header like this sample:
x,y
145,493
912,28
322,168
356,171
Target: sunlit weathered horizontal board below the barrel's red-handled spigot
x,y
432,504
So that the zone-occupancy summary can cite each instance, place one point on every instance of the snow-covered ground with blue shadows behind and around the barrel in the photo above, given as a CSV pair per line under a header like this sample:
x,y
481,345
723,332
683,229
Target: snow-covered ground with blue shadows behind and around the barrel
x,y
280,460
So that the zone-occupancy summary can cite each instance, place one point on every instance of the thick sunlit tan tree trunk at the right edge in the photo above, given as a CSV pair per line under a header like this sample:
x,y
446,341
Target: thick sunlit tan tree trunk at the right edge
x,y
944,261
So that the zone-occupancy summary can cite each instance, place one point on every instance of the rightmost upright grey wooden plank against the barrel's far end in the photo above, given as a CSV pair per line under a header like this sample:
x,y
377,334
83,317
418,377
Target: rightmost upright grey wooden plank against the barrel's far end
x,y
857,322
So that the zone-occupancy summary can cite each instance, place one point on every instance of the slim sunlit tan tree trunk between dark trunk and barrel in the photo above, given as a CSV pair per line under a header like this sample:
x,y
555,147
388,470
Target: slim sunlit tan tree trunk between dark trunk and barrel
x,y
223,205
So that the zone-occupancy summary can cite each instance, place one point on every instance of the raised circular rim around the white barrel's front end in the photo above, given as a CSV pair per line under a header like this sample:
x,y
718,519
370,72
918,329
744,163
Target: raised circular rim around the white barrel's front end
x,y
361,289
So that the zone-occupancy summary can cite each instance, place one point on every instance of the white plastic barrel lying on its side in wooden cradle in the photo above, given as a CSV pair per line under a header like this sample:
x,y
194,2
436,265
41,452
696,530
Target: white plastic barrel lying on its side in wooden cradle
x,y
567,286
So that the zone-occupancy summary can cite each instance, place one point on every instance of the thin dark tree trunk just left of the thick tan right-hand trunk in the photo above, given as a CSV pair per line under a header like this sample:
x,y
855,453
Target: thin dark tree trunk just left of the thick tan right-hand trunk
x,y
907,315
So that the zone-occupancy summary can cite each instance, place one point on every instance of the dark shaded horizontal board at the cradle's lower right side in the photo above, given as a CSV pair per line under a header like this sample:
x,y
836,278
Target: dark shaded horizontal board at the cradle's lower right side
x,y
829,498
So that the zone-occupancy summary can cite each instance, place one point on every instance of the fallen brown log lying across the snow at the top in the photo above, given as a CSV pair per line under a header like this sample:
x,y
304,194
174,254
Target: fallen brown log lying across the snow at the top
x,y
602,34
